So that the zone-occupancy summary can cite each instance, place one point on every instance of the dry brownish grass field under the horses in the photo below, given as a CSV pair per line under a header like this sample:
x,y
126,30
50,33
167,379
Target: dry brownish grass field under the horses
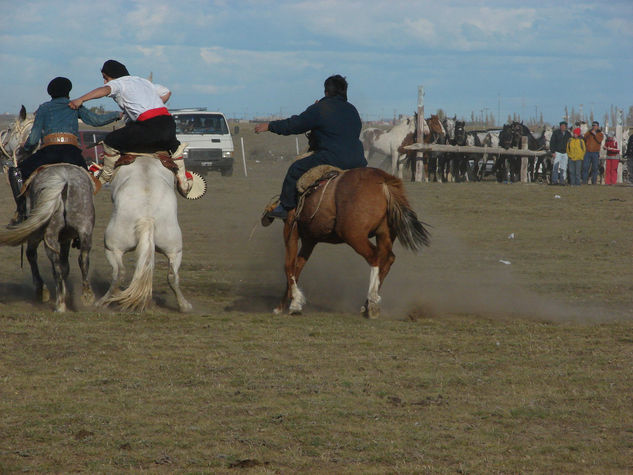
x,y
475,366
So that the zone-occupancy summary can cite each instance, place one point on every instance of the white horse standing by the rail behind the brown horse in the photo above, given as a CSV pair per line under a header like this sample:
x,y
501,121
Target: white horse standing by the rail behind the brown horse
x,y
387,142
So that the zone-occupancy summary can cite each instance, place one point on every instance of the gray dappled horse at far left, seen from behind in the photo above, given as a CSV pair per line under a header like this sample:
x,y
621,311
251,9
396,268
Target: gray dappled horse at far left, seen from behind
x,y
60,198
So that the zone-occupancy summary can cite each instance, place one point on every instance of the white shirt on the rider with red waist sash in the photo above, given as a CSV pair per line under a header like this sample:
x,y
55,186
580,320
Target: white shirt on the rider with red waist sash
x,y
136,95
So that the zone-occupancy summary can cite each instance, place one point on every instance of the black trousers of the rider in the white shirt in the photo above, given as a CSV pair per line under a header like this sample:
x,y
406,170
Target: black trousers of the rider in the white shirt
x,y
152,135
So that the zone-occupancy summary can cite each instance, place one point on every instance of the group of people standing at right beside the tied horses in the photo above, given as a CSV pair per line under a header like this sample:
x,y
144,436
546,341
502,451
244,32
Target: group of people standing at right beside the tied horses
x,y
580,154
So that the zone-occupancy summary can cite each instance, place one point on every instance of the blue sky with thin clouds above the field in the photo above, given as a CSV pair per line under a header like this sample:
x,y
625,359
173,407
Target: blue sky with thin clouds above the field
x,y
252,58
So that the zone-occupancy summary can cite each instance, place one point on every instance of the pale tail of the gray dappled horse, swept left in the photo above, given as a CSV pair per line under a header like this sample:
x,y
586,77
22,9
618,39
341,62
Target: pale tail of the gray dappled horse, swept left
x,y
49,200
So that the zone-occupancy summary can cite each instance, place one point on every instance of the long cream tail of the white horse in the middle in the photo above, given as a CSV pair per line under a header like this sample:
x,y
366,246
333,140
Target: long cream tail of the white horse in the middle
x,y
139,293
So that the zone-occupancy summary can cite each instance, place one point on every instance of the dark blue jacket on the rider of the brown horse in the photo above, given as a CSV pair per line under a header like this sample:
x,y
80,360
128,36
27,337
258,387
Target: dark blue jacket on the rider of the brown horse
x,y
335,129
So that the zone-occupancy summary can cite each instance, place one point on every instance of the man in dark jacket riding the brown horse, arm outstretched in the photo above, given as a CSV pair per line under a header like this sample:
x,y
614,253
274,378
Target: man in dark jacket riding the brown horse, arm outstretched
x,y
335,127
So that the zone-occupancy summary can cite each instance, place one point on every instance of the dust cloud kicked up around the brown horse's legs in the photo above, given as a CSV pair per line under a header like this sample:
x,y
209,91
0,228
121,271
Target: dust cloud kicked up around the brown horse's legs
x,y
445,279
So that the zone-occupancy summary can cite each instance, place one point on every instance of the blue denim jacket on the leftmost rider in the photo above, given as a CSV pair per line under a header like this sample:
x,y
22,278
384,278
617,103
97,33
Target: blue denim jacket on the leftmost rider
x,y
55,116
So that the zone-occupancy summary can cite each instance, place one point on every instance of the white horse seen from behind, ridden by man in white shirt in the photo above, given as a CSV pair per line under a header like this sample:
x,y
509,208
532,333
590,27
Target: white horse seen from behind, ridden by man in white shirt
x,y
145,218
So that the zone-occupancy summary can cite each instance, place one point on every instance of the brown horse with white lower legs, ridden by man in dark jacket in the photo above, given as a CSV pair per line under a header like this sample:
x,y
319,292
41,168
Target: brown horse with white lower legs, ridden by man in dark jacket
x,y
351,208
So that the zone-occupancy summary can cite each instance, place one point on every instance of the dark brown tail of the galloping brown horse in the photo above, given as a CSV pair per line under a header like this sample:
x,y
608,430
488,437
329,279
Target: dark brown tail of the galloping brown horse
x,y
402,220
